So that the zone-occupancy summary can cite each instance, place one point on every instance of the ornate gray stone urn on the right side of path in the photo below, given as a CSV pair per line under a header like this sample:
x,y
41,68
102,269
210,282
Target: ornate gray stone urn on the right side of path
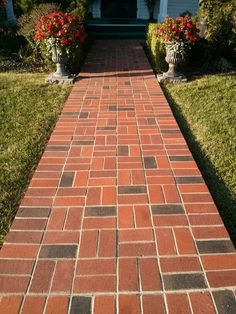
x,y
174,56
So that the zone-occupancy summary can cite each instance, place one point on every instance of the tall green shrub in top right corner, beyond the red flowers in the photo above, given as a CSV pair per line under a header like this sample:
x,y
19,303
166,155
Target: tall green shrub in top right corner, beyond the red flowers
x,y
220,16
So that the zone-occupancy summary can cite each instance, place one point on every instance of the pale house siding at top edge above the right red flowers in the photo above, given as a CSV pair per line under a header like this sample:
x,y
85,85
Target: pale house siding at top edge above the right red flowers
x,y
176,7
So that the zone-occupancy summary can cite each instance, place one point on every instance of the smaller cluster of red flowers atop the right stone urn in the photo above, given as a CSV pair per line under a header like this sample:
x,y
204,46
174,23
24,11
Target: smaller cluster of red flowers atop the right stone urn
x,y
179,29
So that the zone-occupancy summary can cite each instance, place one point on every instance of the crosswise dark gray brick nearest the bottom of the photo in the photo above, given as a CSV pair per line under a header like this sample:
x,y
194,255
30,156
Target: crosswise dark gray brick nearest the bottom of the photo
x,y
184,281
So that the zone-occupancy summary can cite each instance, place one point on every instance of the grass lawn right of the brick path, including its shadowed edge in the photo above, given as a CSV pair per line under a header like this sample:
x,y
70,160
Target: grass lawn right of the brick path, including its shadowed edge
x,y
206,112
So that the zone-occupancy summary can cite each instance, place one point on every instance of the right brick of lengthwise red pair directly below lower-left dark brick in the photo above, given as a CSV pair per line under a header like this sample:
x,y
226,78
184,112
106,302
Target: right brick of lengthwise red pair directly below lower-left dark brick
x,y
63,276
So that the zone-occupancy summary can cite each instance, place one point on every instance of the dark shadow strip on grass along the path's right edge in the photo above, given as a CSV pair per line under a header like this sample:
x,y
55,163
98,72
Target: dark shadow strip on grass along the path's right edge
x,y
224,199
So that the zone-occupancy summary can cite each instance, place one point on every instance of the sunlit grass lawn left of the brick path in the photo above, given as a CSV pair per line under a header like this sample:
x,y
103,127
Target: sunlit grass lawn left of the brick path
x,y
28,112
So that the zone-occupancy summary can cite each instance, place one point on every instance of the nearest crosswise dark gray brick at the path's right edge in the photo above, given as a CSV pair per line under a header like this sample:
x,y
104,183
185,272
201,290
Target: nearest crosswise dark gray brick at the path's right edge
x,y
215,246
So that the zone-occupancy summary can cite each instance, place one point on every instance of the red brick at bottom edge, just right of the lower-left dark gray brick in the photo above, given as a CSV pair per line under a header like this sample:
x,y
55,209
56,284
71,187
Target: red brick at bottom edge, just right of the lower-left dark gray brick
x,y
104,304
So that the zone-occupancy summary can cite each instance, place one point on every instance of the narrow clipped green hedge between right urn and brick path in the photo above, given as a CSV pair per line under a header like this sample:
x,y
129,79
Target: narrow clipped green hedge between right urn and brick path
x,y
156,48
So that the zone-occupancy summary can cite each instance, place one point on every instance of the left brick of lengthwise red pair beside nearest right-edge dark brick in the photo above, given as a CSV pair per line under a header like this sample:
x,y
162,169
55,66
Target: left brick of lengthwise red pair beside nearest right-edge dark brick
x,y
165,242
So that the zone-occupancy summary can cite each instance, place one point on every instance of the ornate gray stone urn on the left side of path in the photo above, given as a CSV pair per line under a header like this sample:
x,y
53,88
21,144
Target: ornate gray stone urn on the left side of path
x,y
60,76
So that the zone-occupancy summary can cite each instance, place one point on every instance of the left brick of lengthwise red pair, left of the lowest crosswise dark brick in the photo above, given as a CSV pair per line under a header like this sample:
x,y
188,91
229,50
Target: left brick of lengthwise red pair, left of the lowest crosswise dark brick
x,y
128,275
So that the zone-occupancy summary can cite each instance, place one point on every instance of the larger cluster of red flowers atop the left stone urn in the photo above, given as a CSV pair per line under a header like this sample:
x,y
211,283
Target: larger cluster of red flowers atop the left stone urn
x,y
60,29
